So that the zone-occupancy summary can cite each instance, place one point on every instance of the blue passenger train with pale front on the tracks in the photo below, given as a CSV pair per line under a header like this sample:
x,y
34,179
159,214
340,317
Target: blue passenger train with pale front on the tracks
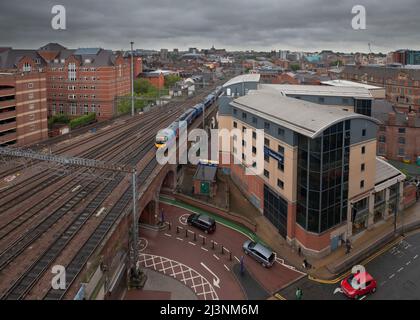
x,y
167,136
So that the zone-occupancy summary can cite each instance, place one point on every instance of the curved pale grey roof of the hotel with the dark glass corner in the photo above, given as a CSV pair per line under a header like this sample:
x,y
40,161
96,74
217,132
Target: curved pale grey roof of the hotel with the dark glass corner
x,y
307,118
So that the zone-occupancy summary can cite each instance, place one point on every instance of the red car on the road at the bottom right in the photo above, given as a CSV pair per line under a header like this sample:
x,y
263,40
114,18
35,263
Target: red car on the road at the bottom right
x,y
357,285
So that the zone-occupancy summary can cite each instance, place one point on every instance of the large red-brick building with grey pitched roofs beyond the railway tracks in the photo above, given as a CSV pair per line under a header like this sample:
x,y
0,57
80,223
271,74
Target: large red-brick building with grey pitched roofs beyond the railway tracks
x,y
77,81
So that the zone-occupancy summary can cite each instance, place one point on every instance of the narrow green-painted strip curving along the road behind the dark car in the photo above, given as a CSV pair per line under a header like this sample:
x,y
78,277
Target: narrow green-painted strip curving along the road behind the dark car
x,y
229,224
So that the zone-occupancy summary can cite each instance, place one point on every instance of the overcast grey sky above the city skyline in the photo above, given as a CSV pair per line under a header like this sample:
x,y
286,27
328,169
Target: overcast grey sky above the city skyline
x,y
307,25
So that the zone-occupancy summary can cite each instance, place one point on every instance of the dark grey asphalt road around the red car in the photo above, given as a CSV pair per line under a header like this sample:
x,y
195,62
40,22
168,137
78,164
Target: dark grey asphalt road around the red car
x,y
397,272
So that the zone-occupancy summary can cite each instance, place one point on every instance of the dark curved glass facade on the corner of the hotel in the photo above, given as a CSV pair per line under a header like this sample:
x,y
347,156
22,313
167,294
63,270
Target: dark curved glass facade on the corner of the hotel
x,y
323,172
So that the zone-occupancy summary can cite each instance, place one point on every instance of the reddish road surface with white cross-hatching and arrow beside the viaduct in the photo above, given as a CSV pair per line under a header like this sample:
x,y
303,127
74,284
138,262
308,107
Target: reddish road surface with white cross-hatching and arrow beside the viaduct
x,y
210,273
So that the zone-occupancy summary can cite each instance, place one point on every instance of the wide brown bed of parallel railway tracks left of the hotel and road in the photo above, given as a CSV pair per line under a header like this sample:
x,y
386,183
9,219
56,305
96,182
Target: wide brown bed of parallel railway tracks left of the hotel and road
x,y
43,214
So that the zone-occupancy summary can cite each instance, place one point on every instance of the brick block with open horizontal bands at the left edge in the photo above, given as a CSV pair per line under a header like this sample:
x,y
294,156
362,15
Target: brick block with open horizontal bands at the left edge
x,y
23,108
